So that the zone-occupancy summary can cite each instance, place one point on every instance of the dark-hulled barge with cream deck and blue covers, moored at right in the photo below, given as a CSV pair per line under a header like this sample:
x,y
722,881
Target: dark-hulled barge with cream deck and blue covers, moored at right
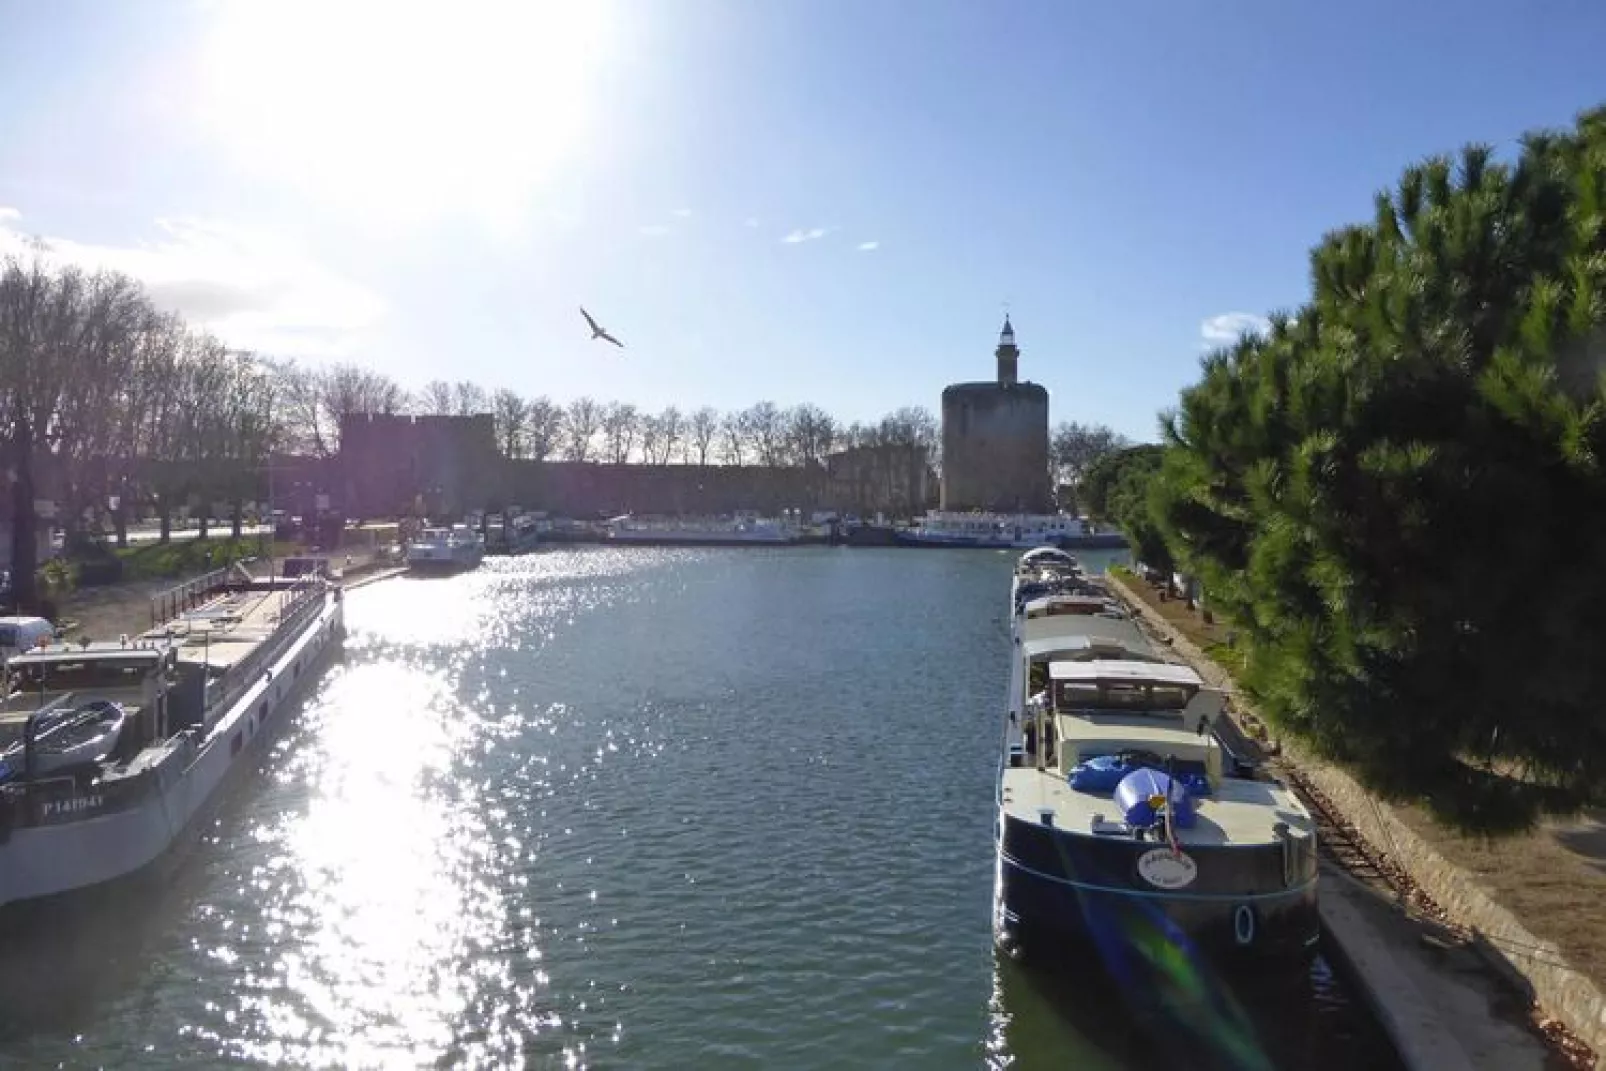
x,y
1122,816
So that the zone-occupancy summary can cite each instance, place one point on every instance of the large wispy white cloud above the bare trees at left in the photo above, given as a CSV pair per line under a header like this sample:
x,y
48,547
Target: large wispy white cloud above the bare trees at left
x,y
251,288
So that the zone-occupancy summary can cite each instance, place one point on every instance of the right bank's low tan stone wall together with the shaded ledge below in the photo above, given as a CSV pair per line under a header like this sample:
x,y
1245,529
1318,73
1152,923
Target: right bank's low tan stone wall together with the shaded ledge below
x,y
1427,1012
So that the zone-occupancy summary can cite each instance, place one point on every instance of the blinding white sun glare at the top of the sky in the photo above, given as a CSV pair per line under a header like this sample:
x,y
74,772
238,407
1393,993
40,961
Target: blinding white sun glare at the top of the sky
x,y
407,110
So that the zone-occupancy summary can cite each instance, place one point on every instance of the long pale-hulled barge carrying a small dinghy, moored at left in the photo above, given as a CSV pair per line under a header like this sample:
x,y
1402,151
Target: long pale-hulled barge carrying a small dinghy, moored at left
x,y
157,725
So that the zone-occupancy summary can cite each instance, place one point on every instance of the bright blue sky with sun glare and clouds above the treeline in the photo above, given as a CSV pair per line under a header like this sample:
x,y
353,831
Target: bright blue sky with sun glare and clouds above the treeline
x,y
434,190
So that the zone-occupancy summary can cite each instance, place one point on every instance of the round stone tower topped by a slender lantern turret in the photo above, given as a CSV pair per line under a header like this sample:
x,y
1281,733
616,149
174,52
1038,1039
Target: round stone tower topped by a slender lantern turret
x,y
997,441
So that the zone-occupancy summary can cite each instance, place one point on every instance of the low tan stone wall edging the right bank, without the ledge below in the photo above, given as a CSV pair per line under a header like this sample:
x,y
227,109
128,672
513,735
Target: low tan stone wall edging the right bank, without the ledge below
x,y
1538,964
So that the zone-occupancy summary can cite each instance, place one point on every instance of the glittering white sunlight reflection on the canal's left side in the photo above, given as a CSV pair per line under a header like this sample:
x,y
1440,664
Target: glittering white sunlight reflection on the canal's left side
x,y
386,895
